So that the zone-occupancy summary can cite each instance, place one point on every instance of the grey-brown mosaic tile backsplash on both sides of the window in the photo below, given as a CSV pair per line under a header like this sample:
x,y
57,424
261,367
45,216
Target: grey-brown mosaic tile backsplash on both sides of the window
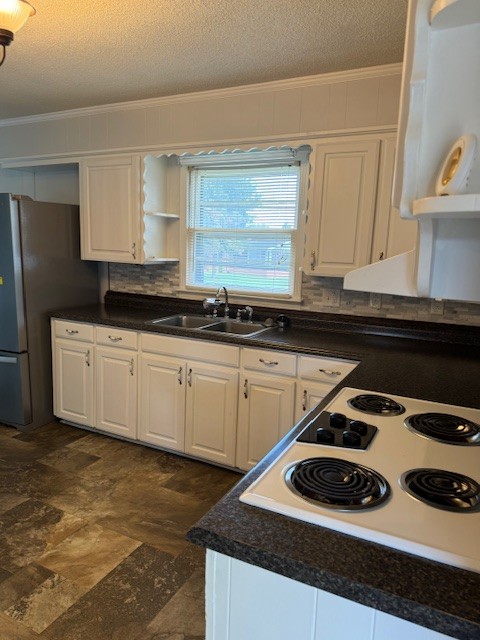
x,y
164,280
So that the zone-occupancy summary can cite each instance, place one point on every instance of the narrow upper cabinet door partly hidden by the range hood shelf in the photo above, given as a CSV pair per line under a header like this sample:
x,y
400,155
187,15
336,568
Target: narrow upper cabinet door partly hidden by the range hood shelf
x,y
392,234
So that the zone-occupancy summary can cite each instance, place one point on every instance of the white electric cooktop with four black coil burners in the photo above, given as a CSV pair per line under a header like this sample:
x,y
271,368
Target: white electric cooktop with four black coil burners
x,y
422,458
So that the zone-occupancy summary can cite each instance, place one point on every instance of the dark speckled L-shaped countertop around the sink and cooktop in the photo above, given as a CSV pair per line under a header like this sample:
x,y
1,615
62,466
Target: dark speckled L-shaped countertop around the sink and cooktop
x,y
417,360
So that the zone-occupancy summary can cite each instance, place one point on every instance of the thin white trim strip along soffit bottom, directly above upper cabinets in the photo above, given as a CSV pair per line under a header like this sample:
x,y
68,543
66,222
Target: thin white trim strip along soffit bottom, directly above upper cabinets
x,y
22,162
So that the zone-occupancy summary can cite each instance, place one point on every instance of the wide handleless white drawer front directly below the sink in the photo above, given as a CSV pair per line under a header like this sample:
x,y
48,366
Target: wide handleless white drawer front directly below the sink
x,y
191,349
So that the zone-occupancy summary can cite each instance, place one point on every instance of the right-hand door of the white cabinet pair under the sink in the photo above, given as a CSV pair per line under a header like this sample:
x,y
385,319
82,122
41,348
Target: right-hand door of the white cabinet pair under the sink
x,y
211,412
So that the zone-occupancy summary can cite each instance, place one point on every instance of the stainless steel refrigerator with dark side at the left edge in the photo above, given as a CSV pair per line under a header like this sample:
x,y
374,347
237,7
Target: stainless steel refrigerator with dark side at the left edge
x,y
40,271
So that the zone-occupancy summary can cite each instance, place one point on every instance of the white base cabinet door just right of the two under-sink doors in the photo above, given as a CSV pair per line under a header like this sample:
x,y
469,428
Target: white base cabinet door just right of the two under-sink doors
x,y
265,414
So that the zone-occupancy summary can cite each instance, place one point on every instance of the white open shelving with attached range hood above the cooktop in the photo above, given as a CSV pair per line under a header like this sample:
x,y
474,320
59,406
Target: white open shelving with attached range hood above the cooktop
x,y
439,105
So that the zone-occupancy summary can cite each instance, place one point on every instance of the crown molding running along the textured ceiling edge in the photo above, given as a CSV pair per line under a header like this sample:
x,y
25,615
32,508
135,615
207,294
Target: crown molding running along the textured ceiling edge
x,y
262,87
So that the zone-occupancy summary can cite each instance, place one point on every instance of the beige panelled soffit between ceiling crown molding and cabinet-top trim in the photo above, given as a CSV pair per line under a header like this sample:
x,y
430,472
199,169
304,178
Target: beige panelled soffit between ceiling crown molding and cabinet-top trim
x,y
288,108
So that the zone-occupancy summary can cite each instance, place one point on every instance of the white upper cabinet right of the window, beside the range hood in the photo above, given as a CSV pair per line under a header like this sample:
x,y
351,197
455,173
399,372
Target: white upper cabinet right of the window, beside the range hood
x,y
351,221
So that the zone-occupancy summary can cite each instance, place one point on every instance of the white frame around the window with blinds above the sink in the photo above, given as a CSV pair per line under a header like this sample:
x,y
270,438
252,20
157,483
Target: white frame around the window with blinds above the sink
x,y
298,235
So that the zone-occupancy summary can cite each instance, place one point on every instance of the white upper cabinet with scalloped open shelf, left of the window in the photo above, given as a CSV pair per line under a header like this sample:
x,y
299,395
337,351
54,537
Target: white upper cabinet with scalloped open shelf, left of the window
x,y
120,222
